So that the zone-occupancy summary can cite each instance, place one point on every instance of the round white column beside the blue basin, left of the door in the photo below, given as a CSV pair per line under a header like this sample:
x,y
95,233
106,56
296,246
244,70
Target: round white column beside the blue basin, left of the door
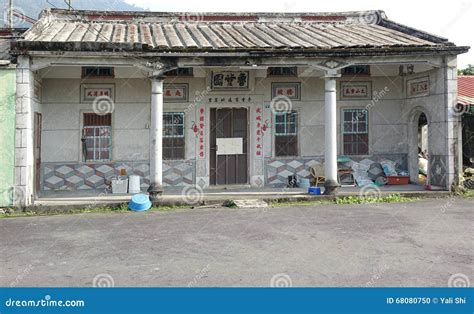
x,y
156,137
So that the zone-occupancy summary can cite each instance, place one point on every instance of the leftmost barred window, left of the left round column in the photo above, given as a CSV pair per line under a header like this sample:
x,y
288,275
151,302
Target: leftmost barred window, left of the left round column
x,y
97,137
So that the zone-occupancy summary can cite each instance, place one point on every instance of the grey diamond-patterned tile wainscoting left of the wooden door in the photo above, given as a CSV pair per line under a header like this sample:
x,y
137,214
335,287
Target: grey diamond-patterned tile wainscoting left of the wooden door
x,y
76,177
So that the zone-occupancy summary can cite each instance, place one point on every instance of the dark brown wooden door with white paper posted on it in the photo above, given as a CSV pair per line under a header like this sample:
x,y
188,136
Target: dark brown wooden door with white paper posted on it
x,y
228,168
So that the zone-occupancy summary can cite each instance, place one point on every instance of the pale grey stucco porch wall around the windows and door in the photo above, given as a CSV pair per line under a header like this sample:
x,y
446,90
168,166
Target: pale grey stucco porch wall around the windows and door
x,y
389,117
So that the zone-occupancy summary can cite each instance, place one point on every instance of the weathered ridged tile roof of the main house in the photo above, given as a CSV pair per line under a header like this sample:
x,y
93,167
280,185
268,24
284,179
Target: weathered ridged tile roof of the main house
x,y
154,31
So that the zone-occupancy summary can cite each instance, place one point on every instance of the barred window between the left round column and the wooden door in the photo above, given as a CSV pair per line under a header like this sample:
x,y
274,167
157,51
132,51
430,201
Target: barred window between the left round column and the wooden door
x,y
173,135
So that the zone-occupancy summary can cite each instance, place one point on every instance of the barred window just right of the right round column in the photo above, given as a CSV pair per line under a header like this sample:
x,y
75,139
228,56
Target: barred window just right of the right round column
x,y
355,132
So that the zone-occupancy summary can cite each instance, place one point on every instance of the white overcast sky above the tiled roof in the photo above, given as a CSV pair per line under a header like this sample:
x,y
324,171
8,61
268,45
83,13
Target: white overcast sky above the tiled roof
x,y
452,19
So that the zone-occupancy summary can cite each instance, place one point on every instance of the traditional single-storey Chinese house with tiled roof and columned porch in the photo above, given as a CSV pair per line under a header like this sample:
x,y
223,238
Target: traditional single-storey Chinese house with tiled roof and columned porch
x,y
217,99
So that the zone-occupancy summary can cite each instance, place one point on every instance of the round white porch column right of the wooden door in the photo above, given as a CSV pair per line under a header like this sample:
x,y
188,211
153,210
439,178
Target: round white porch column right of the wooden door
x,y
330,134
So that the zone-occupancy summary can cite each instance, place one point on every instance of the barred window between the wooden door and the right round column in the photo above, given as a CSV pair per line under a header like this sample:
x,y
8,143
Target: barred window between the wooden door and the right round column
x,y
286,134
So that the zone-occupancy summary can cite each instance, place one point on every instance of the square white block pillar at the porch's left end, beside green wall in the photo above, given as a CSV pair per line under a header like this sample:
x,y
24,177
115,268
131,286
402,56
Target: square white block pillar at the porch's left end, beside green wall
x,y
24,150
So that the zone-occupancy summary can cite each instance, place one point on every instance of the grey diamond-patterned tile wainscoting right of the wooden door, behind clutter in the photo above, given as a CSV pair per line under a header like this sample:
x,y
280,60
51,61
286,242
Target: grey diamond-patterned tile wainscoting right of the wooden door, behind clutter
x,y
277,170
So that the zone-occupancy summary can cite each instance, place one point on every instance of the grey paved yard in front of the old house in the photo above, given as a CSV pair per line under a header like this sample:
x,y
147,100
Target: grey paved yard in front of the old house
x,y
408,244
